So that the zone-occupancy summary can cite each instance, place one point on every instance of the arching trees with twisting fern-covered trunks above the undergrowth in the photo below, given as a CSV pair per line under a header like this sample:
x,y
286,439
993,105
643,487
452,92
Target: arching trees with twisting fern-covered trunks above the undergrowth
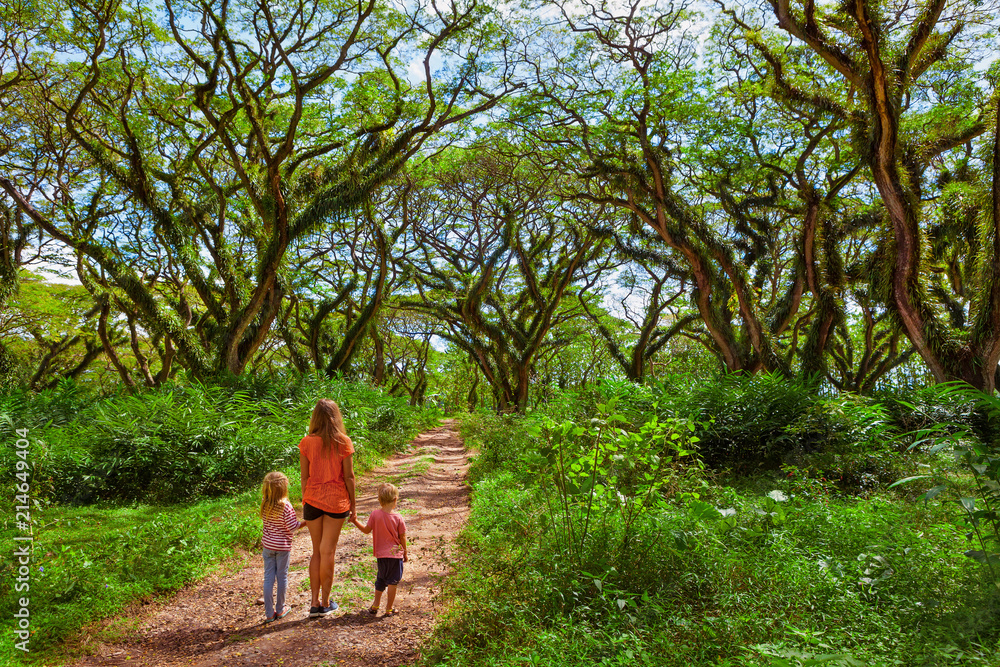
x,y
551,194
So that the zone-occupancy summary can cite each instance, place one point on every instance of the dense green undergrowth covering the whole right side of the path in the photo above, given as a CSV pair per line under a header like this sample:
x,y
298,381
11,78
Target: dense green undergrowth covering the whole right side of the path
x,y
737,523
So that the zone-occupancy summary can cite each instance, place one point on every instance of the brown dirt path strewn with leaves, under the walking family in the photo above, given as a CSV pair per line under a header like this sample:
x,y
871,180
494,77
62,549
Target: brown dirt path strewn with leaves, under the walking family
x,y
218,620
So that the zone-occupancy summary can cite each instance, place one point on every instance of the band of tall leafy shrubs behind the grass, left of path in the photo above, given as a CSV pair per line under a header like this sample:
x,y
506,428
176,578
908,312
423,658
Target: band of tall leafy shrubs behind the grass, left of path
x,y
186,441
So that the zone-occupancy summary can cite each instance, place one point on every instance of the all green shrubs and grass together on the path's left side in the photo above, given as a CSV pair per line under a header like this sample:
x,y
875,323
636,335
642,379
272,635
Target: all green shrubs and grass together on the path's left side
x,y
134,496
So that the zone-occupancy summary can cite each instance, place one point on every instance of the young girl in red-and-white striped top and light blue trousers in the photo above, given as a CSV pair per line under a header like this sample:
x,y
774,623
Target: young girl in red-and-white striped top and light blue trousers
x,y
279,522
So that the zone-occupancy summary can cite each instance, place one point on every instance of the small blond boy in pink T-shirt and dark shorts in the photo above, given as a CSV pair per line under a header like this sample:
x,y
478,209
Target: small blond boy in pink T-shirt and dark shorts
x,y
389,540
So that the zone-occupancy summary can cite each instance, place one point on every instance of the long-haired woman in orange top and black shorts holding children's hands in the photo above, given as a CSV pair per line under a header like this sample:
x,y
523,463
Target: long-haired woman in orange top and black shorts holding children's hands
x,y
327,496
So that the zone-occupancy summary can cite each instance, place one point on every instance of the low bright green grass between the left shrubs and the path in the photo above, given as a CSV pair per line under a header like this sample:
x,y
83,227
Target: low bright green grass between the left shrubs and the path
x,y
92,562
